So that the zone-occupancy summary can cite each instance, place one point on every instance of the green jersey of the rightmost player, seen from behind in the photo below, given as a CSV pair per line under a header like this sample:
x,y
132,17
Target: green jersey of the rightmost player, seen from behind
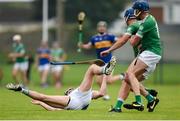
x,y
149,34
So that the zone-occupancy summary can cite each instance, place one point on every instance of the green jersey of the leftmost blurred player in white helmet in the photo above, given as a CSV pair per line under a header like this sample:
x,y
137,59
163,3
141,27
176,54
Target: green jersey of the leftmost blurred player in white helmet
x,y
19,48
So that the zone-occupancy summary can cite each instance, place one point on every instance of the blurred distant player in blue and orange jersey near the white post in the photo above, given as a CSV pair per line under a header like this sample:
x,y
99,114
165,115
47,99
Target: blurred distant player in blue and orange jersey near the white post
x,y
42,62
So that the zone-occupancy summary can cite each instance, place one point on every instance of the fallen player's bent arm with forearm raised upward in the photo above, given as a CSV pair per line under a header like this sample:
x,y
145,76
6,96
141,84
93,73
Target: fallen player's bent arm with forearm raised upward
x,y
102,90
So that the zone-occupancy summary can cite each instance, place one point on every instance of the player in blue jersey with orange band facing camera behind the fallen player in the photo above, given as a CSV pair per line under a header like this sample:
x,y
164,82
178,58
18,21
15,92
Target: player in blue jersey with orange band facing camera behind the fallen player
x,y
102,41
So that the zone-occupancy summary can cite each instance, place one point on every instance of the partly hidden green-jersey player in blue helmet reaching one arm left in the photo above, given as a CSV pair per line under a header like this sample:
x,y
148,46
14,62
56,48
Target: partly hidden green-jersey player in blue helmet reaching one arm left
x,y
133,27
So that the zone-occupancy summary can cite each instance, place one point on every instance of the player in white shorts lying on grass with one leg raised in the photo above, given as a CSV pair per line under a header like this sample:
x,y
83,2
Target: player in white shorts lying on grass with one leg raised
x,y
77,99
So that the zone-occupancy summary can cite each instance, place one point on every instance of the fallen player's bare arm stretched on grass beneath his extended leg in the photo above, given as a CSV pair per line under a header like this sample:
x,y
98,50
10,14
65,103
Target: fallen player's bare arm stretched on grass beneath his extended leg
x,y
45,106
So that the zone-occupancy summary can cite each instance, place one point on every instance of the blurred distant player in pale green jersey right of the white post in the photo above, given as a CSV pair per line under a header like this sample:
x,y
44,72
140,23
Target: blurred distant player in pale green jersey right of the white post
x,y
57,54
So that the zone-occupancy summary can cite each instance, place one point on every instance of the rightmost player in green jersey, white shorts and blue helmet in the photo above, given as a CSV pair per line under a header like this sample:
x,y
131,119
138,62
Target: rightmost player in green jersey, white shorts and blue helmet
x,y
148,36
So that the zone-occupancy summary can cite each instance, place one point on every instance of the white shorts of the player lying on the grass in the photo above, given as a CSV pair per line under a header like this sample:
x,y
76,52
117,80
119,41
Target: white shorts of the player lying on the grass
x,y
79,100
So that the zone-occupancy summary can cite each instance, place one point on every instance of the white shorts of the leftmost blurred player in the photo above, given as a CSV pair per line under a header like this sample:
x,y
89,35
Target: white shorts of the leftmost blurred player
x,y
23,66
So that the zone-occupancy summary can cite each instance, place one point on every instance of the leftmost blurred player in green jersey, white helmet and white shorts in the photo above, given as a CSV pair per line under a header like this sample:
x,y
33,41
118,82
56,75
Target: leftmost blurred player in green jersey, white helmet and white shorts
x,y
20,62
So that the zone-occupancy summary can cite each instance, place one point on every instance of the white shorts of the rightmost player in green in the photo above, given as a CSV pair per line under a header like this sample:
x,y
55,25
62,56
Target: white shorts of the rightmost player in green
x,y
150,59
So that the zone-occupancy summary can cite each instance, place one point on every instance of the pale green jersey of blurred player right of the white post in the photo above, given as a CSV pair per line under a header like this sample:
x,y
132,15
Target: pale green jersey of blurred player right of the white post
x,y
57,53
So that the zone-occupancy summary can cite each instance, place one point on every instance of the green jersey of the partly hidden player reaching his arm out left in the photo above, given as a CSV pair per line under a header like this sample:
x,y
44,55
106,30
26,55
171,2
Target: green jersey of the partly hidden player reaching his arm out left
x,y
131,30
